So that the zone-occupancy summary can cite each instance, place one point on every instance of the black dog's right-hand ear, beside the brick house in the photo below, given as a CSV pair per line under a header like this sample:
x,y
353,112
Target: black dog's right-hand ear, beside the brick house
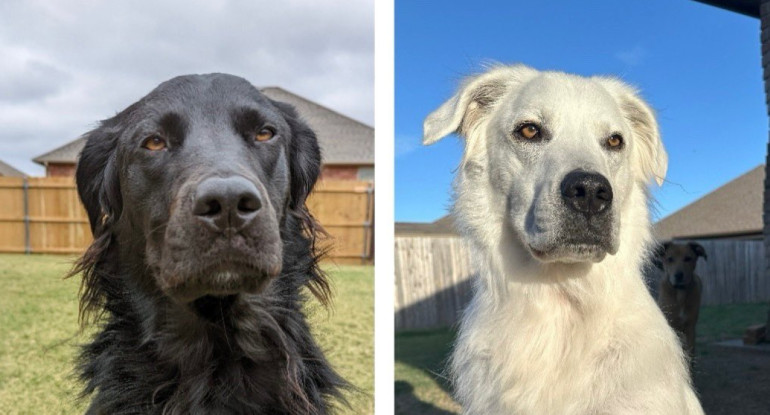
x,y
304,157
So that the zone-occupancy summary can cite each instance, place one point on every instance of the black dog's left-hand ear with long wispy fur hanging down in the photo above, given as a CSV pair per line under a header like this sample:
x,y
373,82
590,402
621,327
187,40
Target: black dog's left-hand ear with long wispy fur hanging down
x,y
99,190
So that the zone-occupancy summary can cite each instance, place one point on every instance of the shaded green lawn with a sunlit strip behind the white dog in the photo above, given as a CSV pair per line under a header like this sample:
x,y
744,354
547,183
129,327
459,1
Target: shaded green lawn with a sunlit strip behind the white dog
x,y
421,387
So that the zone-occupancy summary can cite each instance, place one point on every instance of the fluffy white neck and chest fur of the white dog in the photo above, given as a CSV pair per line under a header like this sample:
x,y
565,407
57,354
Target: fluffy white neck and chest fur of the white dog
x,y
590,342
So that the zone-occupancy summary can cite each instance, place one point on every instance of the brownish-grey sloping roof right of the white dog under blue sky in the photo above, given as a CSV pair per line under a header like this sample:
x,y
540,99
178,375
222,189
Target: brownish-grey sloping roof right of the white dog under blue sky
x,y
735,208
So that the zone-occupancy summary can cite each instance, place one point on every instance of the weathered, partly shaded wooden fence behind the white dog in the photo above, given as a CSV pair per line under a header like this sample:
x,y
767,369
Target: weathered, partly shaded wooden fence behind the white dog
x,y
433,278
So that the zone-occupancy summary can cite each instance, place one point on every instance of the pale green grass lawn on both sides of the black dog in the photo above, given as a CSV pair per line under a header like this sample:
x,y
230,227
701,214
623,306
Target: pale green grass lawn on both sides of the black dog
x,y
39,334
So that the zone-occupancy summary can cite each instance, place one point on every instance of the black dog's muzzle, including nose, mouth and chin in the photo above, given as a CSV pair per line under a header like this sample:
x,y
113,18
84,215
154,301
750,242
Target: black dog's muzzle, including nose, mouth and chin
x,y
224,241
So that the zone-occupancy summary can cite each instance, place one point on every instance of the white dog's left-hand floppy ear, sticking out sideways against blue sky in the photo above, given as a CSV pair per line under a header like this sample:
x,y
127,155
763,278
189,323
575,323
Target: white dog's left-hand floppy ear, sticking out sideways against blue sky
x,y
473,99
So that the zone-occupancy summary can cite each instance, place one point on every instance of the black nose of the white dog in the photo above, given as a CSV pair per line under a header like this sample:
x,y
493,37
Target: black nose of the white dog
x,y
587,193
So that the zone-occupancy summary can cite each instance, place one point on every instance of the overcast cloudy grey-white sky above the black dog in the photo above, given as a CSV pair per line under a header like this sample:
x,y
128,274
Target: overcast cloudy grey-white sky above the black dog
x,y
66,64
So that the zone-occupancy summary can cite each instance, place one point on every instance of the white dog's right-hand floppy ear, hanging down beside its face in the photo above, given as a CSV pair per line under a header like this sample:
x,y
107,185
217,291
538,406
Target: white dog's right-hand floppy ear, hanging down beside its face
x,y
649,153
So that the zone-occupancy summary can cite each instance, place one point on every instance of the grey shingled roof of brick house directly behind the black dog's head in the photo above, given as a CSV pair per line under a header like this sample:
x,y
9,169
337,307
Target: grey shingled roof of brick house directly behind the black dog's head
x,y
343,140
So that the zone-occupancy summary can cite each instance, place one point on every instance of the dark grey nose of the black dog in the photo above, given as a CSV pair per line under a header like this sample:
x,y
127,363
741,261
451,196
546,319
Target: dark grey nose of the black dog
x,y
229,202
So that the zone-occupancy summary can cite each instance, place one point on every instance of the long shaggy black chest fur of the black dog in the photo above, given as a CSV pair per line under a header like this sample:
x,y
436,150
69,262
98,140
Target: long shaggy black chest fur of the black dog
x,y
255,356
